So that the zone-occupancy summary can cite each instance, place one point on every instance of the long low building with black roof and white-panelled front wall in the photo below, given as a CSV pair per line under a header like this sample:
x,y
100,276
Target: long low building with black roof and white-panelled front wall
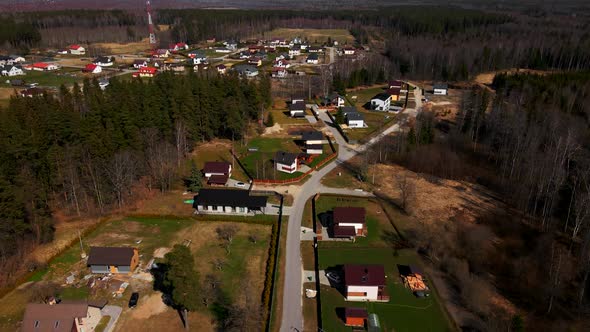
x,y
228,201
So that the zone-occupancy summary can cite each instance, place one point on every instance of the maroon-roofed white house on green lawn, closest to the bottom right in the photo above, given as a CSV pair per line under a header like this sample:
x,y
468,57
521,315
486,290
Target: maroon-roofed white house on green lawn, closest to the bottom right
x,y
365,283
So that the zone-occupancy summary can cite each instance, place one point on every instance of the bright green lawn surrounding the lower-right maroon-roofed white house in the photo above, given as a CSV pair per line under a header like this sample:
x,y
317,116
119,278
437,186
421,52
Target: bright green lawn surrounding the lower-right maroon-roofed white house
x,y
403,313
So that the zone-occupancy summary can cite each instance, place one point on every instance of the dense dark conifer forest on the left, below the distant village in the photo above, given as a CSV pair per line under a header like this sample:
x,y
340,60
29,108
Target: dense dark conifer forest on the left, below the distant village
x,y
84,151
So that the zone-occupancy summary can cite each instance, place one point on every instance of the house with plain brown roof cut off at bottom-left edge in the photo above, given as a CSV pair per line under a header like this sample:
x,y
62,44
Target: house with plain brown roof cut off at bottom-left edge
x,y
64,317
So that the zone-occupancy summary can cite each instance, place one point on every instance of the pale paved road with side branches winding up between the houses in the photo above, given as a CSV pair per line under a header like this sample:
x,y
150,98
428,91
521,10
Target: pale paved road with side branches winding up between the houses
x,y
292,319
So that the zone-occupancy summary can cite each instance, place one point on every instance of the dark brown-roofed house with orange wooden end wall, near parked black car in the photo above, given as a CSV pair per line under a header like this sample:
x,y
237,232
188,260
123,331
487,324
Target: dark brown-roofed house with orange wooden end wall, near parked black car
x,y
113,259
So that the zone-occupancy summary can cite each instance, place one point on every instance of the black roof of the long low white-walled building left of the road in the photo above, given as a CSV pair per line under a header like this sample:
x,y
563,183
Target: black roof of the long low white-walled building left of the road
x,y
229,197
